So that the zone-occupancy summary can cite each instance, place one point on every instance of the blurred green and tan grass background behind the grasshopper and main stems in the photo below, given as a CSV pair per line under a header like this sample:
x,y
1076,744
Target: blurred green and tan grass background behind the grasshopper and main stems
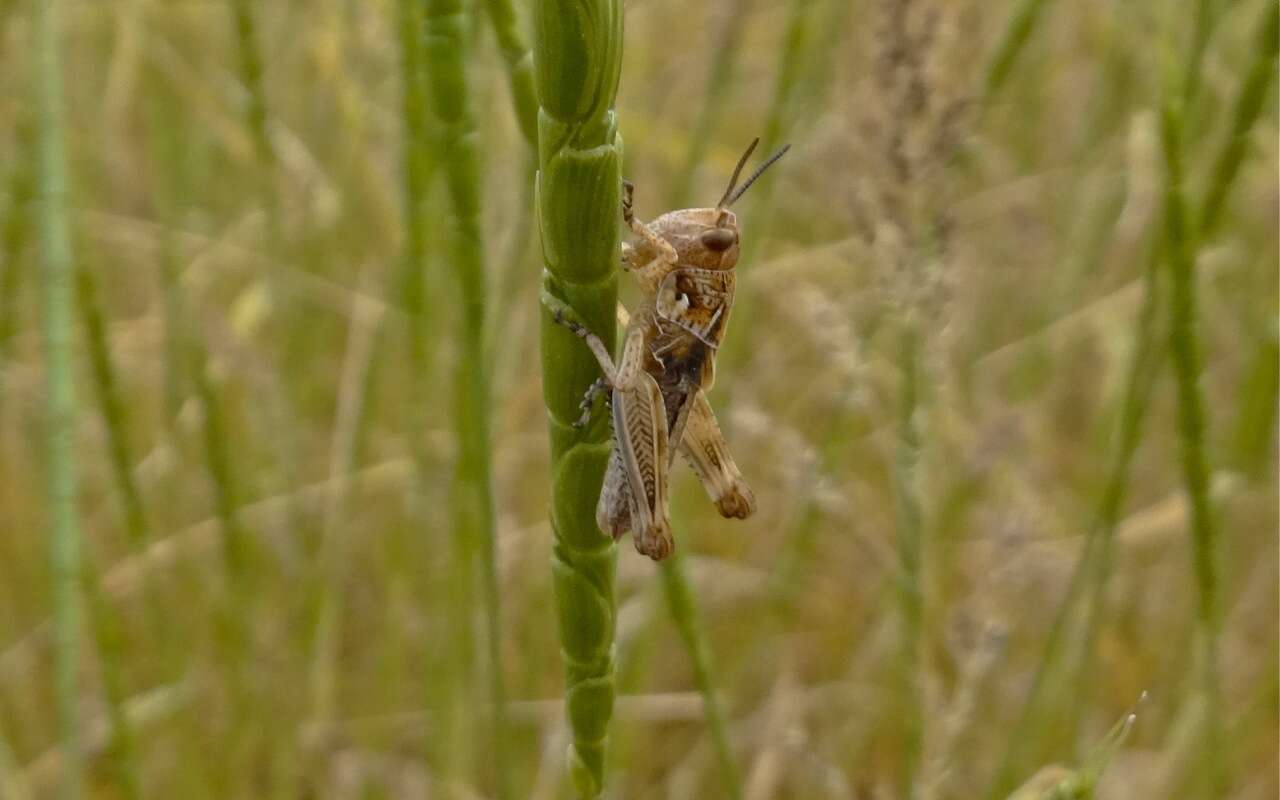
x,y
944,597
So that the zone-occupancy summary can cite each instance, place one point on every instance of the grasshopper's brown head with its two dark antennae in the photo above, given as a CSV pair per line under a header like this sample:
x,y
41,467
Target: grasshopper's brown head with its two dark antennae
x,y
708,239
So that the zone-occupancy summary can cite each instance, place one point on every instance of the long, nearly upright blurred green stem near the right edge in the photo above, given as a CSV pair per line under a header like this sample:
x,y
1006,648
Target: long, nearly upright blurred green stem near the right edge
x,y
1185,350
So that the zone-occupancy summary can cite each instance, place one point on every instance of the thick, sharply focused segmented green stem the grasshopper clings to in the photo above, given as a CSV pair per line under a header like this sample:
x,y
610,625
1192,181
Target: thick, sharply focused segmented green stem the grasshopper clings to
x,y
578,61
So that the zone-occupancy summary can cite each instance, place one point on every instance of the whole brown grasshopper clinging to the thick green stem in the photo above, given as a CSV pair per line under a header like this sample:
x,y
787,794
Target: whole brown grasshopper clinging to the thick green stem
x,y
684,263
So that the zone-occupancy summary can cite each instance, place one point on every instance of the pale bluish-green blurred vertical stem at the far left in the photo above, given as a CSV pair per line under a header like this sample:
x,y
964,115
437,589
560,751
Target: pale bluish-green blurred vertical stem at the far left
x,y
65,537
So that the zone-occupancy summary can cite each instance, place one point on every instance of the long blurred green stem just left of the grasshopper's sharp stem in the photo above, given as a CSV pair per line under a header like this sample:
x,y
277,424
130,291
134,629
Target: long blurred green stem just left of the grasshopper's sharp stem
x,y
446,35
